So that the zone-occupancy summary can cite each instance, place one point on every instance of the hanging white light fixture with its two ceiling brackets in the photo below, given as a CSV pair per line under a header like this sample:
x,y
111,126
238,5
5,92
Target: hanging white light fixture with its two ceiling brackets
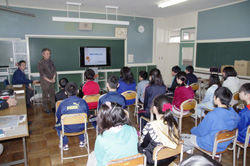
x,y
89,20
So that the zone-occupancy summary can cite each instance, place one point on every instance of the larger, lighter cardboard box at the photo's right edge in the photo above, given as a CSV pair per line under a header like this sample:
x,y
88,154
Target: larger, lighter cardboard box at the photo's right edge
x,y
242,67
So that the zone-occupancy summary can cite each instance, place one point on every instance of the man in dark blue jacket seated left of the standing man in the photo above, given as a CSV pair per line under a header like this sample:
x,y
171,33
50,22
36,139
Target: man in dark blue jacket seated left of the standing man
x,y
19,77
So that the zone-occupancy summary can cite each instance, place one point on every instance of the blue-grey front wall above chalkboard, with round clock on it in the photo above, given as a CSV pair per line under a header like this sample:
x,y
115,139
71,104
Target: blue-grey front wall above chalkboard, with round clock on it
x,y
17,26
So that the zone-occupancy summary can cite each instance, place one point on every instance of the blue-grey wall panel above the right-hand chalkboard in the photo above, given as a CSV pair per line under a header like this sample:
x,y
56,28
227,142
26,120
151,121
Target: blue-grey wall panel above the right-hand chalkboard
x,y
225,22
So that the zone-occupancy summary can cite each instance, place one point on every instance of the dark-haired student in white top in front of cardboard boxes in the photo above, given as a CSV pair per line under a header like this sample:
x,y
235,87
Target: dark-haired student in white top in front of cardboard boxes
x,y
230,79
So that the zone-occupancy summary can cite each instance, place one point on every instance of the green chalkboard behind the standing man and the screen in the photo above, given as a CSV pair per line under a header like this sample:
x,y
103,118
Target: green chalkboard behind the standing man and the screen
x,y
65,52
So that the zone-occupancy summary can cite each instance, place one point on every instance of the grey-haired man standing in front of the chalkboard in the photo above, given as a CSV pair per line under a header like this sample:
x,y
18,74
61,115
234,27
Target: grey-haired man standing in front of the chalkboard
x,y
47,72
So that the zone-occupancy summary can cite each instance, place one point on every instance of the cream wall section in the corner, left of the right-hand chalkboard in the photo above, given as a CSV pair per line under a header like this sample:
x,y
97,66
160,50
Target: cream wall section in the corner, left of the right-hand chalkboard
x,y
167,54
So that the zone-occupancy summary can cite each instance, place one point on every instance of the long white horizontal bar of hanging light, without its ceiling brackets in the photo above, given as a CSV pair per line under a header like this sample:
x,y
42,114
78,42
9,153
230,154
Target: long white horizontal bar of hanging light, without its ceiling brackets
x,y
88,20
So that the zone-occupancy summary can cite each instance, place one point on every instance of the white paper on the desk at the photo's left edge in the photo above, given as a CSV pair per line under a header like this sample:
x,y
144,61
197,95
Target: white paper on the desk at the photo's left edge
x,y
8,122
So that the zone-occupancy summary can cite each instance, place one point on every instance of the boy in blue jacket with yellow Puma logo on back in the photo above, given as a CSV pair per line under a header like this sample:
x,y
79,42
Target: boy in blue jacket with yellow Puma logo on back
x,y
71,105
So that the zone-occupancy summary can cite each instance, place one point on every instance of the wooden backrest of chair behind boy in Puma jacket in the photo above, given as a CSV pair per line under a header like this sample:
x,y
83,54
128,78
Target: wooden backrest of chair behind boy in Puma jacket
x,y
70,119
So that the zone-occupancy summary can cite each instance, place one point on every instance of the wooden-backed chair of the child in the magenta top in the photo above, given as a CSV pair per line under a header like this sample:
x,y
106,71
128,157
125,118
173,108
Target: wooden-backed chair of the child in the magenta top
x,y
186,105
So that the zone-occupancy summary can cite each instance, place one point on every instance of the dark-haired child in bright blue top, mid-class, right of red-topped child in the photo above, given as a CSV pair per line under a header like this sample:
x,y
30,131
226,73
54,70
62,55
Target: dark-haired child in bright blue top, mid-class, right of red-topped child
x,y
126,82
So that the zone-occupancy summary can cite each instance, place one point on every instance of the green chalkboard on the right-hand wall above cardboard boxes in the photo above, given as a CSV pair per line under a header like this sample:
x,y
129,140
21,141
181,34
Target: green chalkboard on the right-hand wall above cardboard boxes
x,y
222,53
